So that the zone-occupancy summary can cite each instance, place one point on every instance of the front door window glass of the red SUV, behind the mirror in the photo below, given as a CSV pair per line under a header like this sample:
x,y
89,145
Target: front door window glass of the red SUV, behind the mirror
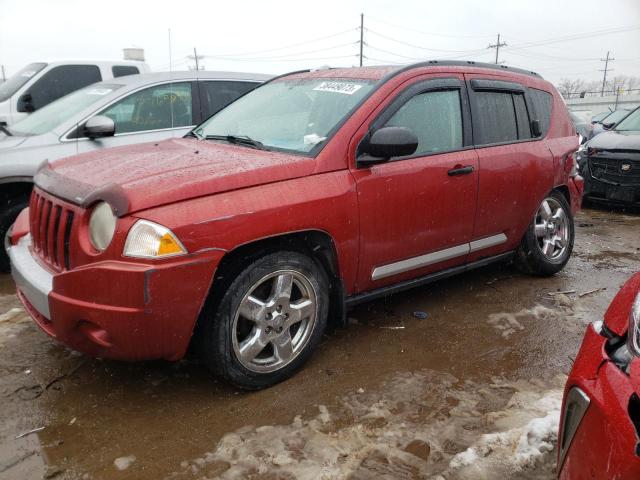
x,y
436,119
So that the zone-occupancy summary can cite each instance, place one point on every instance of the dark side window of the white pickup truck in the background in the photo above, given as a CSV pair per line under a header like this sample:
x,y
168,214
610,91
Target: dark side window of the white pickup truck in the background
x,y
59,81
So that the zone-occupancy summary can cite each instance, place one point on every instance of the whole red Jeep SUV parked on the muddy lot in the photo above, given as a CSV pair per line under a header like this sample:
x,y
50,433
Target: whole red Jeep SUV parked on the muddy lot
x,y
316,191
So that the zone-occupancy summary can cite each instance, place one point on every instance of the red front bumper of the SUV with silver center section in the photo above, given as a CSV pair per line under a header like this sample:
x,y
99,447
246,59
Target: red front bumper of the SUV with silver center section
x,y
116,309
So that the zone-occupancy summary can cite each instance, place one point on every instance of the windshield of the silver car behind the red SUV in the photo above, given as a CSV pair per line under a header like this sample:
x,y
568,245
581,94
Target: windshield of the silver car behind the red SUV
x,y
58,112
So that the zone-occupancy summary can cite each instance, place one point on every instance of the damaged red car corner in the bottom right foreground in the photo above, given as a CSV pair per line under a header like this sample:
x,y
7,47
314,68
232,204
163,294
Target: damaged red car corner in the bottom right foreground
x,y
600,427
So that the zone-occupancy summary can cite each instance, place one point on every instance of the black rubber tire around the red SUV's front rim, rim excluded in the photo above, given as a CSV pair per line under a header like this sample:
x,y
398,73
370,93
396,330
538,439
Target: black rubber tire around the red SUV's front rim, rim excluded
x,y
214,336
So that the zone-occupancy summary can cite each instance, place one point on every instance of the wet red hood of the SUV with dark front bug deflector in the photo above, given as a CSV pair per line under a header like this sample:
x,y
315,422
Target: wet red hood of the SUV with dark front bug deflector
x,y
148,175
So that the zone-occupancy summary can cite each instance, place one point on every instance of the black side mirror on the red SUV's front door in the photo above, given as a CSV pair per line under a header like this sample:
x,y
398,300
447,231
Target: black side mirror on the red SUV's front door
x,y
386,143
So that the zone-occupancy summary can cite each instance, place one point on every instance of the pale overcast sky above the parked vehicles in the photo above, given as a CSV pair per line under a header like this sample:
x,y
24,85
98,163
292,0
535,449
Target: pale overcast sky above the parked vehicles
x,y
285,35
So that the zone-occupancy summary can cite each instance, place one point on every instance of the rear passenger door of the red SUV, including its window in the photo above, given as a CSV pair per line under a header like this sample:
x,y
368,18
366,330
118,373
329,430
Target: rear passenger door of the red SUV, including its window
x,y
516,169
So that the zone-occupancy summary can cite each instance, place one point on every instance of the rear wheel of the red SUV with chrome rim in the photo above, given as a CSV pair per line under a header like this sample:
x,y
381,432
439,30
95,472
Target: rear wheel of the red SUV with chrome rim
x,y
546,247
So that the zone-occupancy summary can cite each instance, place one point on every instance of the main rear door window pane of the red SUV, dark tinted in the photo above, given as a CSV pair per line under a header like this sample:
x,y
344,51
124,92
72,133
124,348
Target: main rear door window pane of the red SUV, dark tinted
x,y
497,120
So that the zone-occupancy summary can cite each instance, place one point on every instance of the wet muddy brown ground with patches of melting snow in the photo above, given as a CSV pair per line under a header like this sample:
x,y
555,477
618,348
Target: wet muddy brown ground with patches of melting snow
x,y
471,391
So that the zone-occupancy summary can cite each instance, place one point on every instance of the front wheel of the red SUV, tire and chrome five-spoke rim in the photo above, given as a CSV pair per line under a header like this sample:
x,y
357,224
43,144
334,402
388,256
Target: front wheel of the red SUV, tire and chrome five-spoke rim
x,y
267,322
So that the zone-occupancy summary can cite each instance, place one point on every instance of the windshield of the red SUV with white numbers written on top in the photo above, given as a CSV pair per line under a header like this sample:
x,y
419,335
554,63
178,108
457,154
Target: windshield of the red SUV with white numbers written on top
x,y
291,115
